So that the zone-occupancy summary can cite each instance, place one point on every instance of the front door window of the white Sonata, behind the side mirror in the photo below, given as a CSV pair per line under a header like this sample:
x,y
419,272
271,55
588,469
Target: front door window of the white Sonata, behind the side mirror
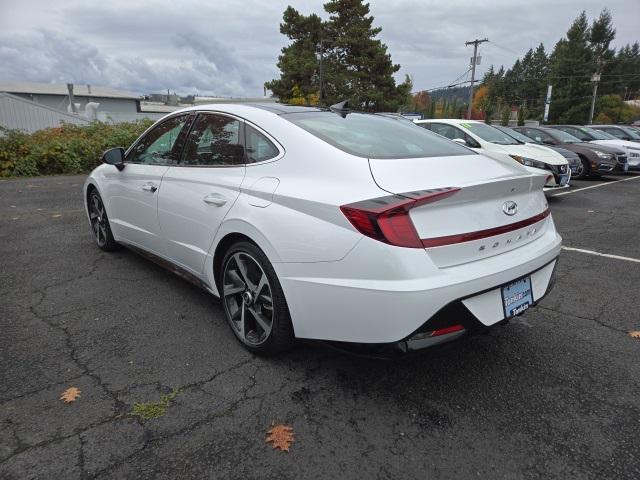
x,y
160,146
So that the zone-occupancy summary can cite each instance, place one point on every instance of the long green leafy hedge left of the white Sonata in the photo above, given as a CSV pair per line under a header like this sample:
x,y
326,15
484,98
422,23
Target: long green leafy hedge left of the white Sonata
x,y
63,150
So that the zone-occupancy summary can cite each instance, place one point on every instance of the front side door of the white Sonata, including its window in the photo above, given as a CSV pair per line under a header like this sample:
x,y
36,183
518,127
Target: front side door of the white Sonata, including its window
x,y
132,193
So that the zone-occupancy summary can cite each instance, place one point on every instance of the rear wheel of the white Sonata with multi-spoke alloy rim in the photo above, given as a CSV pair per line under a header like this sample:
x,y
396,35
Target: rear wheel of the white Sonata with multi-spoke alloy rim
x,y
253,301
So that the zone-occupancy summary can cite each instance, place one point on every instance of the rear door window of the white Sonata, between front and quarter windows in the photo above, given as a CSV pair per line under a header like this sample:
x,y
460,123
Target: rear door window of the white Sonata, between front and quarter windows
x,y
214,141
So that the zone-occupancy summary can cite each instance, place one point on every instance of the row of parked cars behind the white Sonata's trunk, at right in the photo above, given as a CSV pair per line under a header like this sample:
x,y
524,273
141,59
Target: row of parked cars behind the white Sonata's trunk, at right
x,y
560,151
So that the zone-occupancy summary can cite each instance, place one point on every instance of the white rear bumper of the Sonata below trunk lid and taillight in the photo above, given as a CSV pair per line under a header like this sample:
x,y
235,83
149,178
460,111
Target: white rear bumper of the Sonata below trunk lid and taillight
x,y
383,294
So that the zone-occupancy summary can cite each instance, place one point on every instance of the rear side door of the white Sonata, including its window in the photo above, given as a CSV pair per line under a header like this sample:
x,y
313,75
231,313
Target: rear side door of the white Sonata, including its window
x,y
199,191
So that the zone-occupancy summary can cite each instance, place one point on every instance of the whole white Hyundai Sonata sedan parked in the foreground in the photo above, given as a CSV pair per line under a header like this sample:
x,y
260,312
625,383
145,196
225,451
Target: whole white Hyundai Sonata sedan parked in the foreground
x,y
329,224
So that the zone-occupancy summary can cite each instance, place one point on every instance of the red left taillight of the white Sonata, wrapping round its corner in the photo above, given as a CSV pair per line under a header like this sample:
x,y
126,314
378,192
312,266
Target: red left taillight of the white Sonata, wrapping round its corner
x,y
387,218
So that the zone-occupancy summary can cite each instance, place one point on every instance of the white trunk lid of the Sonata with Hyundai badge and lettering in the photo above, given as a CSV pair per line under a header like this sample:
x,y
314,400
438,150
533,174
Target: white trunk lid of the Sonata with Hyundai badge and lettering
x,y
477,221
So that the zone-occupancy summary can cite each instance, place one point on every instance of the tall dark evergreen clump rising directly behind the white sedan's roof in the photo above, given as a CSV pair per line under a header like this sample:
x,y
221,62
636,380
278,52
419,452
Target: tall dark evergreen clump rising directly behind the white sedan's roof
x,y
356,65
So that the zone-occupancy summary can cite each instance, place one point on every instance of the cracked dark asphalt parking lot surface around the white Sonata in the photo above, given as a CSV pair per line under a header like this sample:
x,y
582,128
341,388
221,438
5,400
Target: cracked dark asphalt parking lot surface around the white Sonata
x,y
553,394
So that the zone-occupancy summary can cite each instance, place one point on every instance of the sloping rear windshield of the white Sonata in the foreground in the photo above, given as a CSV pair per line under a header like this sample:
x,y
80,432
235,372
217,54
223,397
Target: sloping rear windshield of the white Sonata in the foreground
x,y
376,136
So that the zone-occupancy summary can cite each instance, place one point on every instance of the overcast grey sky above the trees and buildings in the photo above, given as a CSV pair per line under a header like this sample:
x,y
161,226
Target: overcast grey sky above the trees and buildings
x,y
230,48
